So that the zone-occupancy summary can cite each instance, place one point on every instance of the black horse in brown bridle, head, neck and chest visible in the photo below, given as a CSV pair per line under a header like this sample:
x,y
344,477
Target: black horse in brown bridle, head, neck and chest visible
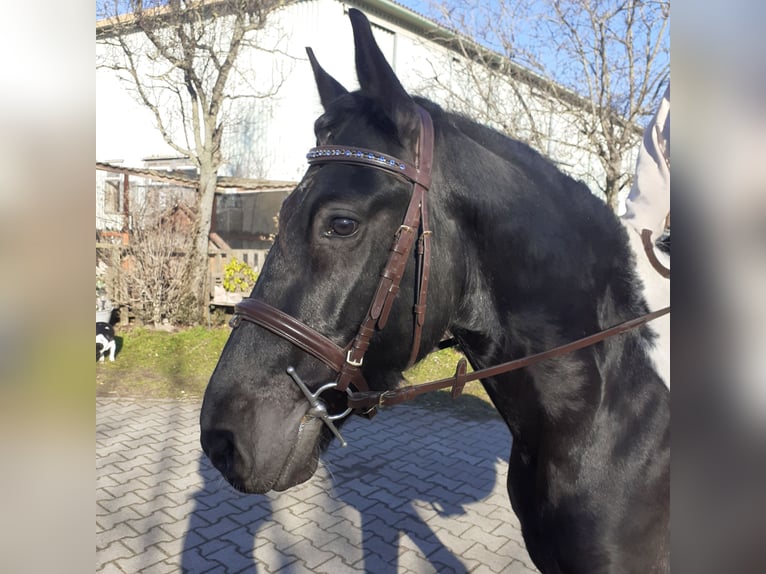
x,y
523,259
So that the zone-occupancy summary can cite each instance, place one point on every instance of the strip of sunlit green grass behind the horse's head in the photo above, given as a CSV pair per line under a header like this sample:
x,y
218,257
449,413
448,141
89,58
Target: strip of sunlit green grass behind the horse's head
x,y
161,364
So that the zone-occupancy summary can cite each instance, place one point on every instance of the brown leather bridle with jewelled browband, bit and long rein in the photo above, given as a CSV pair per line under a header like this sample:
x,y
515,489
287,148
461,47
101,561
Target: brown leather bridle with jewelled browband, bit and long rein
x,y
347,361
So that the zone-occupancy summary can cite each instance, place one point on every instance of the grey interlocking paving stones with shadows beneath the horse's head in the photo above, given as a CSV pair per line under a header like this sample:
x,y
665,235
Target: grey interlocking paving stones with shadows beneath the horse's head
x,y
415,491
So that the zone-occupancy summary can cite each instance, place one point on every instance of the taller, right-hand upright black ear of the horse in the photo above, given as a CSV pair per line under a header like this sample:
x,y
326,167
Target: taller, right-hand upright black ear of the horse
x,y
376,77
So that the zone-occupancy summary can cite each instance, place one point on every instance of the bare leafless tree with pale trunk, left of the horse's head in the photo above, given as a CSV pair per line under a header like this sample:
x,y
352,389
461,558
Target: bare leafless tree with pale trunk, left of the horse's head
x,y
180,60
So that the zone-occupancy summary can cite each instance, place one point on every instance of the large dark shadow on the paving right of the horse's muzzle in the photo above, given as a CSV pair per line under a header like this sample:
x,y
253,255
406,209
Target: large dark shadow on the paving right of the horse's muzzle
x,y
429,475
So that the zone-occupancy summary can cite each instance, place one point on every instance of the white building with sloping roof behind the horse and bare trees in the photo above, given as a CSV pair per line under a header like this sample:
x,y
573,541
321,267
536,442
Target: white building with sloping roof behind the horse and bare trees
x,y
271,135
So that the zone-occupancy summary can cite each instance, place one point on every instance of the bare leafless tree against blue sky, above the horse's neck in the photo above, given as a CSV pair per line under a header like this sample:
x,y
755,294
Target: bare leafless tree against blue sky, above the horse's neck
x,y
608,61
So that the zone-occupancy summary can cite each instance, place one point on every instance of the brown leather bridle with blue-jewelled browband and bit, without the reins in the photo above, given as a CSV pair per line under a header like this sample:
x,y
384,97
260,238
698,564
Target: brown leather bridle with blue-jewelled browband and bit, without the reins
x,y
347,361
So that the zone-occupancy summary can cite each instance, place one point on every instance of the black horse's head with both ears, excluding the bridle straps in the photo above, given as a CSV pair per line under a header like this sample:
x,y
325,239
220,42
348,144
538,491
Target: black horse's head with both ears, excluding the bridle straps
x,y
335,234
